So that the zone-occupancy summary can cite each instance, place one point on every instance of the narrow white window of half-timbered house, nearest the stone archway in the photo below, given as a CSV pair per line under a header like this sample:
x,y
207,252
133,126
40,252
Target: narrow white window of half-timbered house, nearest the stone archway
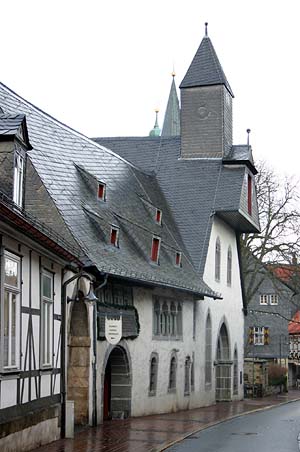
x,y
47,301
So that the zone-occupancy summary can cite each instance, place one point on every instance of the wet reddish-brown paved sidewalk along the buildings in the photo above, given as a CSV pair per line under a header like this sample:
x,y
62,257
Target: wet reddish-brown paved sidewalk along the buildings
x,y
155,433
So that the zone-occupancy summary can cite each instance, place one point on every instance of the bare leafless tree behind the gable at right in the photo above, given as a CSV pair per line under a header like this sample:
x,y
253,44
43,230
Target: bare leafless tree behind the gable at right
x,y
279,240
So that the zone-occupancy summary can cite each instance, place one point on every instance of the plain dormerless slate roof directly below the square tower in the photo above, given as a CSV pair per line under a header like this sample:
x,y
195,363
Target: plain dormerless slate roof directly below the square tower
x,y
195,189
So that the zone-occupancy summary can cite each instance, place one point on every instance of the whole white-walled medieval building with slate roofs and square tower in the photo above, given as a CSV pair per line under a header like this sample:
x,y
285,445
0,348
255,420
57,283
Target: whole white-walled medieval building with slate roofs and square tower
x,y
157,222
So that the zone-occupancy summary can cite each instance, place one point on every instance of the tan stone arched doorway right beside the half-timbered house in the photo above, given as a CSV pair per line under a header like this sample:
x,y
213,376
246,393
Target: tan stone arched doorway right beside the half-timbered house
x,y
79,362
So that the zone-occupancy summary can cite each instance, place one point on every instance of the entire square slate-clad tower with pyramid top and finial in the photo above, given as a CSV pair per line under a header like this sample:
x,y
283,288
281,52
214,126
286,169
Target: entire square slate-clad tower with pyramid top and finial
x,y
206,106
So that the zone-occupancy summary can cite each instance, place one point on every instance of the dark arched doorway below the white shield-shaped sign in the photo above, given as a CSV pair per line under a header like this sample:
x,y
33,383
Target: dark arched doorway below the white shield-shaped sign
x,y
117,385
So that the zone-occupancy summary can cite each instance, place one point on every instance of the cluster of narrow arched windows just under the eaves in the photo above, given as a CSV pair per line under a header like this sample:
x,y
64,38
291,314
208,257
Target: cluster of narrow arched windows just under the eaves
x,y
167,318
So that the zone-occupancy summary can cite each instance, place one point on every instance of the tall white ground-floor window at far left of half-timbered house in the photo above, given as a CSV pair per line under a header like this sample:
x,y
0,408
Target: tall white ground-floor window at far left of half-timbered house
x,y
10,322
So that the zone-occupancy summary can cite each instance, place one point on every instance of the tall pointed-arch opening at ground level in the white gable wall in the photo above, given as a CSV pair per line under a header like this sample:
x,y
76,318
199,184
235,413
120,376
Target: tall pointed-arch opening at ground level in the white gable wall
x,y
223,366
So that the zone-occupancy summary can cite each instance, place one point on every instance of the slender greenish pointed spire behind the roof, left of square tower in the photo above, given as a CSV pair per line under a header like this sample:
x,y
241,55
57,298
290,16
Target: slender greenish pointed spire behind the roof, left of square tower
x,y
171,126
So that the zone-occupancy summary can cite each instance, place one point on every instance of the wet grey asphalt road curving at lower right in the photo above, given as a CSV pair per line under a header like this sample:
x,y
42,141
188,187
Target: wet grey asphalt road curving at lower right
x,y
274,430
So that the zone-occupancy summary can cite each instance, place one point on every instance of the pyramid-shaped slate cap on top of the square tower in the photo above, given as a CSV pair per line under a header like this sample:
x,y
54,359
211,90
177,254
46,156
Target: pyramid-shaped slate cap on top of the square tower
x,y
205,69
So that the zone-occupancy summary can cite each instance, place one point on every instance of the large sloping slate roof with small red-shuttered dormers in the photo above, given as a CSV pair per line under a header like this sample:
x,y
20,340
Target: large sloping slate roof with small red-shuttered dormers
x,y
69,164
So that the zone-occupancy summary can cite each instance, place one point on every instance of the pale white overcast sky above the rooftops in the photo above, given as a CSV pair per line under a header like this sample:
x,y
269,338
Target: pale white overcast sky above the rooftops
x,y
102,67
